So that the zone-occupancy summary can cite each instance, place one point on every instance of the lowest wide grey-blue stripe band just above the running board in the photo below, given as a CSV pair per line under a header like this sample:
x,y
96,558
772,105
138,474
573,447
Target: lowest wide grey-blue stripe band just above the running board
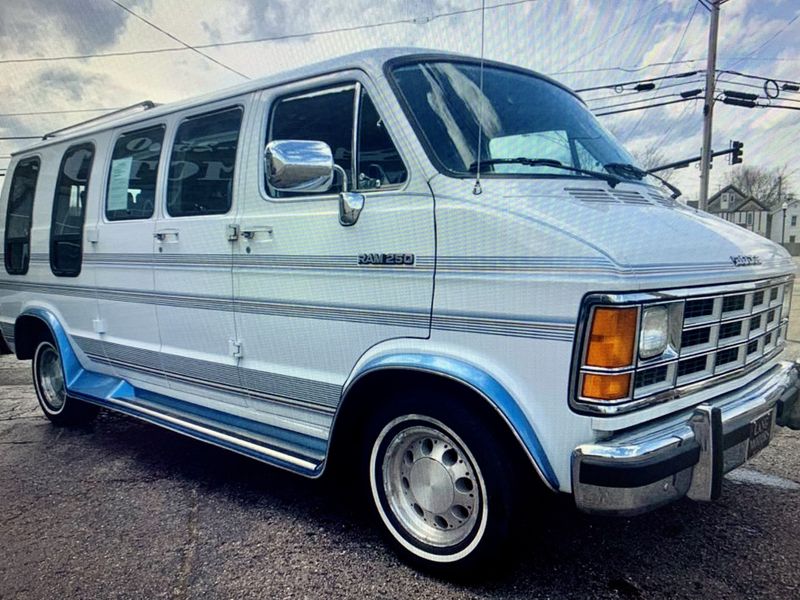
x,y
282,389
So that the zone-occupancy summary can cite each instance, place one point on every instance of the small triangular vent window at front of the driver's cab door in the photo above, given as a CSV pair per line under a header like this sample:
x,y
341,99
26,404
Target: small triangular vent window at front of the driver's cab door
x,y
379,162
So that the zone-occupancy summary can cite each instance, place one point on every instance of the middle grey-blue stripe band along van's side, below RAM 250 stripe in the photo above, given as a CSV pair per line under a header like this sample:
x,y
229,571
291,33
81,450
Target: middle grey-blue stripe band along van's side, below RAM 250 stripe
x,y
485,324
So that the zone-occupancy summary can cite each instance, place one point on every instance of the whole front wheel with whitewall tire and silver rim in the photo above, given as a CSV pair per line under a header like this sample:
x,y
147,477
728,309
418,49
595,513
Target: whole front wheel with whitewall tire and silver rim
x,y
443,488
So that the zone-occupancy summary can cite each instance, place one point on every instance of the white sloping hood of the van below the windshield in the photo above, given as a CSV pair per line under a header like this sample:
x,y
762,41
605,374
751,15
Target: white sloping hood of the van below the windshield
x,y
634,227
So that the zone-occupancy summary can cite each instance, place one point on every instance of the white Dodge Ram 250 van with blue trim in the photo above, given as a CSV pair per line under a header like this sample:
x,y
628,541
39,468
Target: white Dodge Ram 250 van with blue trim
x,y
445,276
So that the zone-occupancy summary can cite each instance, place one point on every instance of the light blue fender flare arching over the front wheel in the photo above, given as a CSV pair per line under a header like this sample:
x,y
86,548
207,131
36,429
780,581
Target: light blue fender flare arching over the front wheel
x,y
484,383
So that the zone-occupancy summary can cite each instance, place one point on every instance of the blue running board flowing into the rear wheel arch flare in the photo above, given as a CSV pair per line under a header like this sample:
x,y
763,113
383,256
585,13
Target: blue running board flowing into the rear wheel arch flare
x,y
104,389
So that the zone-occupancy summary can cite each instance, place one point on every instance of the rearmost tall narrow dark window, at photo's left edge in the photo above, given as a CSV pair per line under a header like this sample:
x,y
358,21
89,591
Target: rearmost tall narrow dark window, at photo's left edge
x,y
19,215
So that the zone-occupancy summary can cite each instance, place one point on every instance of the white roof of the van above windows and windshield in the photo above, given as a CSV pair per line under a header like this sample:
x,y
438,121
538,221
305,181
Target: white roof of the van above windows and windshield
x,y
372,60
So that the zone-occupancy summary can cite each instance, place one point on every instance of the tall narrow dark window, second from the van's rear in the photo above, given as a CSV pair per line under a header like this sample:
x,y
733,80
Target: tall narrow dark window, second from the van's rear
x,y
69,210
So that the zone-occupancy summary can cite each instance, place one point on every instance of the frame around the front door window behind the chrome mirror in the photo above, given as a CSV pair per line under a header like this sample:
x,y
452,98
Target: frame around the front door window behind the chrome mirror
x,y
308,87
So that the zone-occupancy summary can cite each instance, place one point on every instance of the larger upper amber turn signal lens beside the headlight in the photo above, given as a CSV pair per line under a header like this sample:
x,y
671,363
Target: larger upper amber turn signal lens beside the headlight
x,y
612,337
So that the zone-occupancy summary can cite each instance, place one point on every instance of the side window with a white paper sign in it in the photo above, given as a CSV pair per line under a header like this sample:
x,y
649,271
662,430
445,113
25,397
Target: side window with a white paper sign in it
x,y
132,179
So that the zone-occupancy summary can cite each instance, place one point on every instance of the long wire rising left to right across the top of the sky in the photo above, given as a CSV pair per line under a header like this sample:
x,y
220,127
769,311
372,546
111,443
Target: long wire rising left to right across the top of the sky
x,y
275,38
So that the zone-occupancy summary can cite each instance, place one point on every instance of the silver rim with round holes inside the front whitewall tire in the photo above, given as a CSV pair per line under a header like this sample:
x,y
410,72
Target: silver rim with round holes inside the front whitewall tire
x,y
431,483
